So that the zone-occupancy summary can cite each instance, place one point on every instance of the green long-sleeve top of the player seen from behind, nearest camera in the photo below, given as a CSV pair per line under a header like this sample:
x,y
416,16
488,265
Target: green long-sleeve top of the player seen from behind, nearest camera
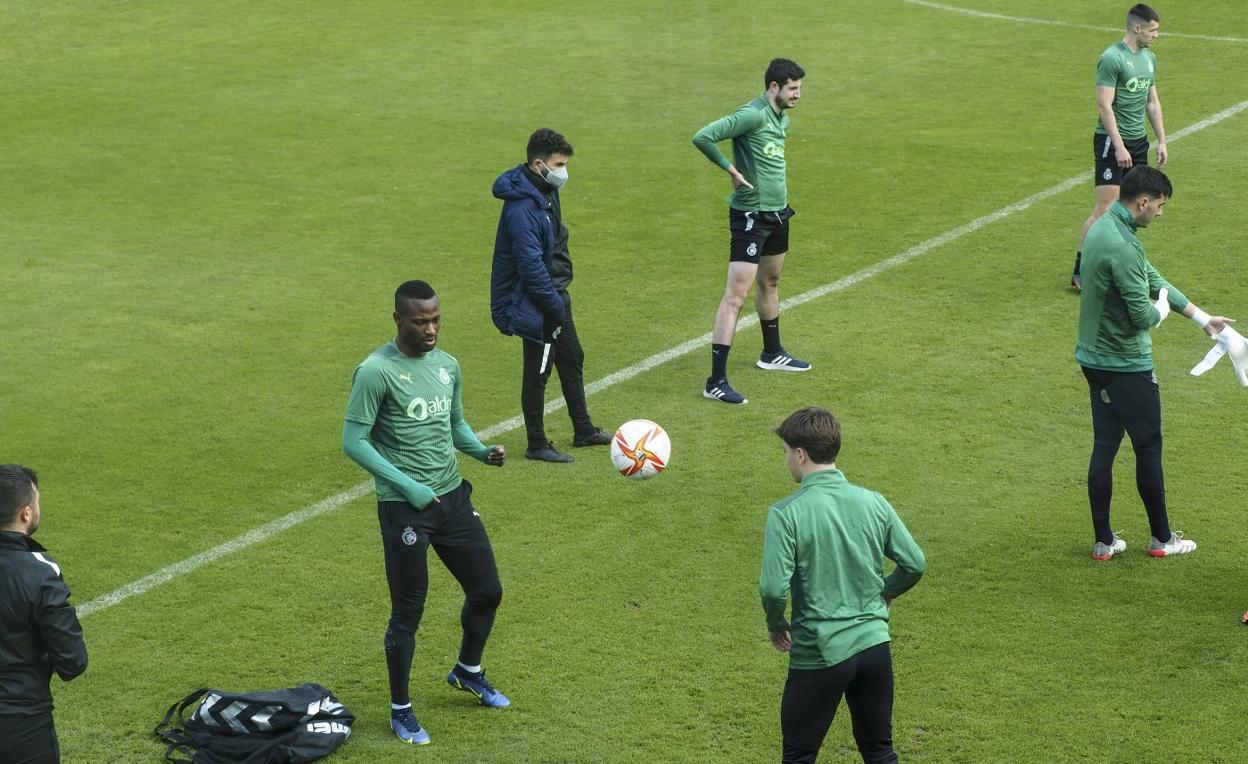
x,y
826,546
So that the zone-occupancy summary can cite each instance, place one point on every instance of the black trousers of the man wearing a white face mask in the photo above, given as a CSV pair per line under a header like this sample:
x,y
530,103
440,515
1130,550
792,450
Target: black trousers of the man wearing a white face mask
x,y
567,356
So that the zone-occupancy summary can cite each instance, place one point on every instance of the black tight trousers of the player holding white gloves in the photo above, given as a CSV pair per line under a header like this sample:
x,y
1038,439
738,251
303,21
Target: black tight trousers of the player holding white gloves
x,y
1131,404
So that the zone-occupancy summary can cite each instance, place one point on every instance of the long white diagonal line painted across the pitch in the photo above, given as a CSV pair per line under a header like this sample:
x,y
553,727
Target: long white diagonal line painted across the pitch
x,y
331,504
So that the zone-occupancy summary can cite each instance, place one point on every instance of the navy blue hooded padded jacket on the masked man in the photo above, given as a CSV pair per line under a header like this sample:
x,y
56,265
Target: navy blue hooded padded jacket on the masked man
x,y
522,298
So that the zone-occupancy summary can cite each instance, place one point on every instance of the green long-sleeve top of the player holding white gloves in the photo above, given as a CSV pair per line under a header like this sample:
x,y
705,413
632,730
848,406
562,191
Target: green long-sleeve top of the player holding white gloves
x,y
1116,300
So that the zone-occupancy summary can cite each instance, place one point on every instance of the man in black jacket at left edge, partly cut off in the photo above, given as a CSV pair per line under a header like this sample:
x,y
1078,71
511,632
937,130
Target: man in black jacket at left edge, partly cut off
x,y
39,629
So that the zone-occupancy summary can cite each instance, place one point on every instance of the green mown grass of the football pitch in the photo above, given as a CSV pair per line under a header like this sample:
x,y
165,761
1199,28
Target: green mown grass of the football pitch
x,y
205,209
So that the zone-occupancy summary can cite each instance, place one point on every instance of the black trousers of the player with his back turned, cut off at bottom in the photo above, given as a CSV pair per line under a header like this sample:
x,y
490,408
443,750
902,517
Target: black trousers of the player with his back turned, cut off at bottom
x,y
812,697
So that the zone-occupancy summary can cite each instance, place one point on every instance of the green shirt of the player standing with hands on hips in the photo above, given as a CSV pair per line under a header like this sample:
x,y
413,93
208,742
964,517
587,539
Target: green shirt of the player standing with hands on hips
x,y
758,137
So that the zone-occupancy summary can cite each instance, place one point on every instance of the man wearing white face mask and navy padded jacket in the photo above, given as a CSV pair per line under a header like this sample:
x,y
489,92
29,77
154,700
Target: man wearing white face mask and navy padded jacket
x,y
530,280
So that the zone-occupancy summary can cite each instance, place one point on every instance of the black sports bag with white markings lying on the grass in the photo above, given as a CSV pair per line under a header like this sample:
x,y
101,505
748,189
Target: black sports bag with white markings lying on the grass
x,y
303,723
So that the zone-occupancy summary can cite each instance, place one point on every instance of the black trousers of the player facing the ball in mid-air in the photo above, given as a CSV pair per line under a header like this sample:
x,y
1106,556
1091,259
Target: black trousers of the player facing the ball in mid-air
x,y
459,537
